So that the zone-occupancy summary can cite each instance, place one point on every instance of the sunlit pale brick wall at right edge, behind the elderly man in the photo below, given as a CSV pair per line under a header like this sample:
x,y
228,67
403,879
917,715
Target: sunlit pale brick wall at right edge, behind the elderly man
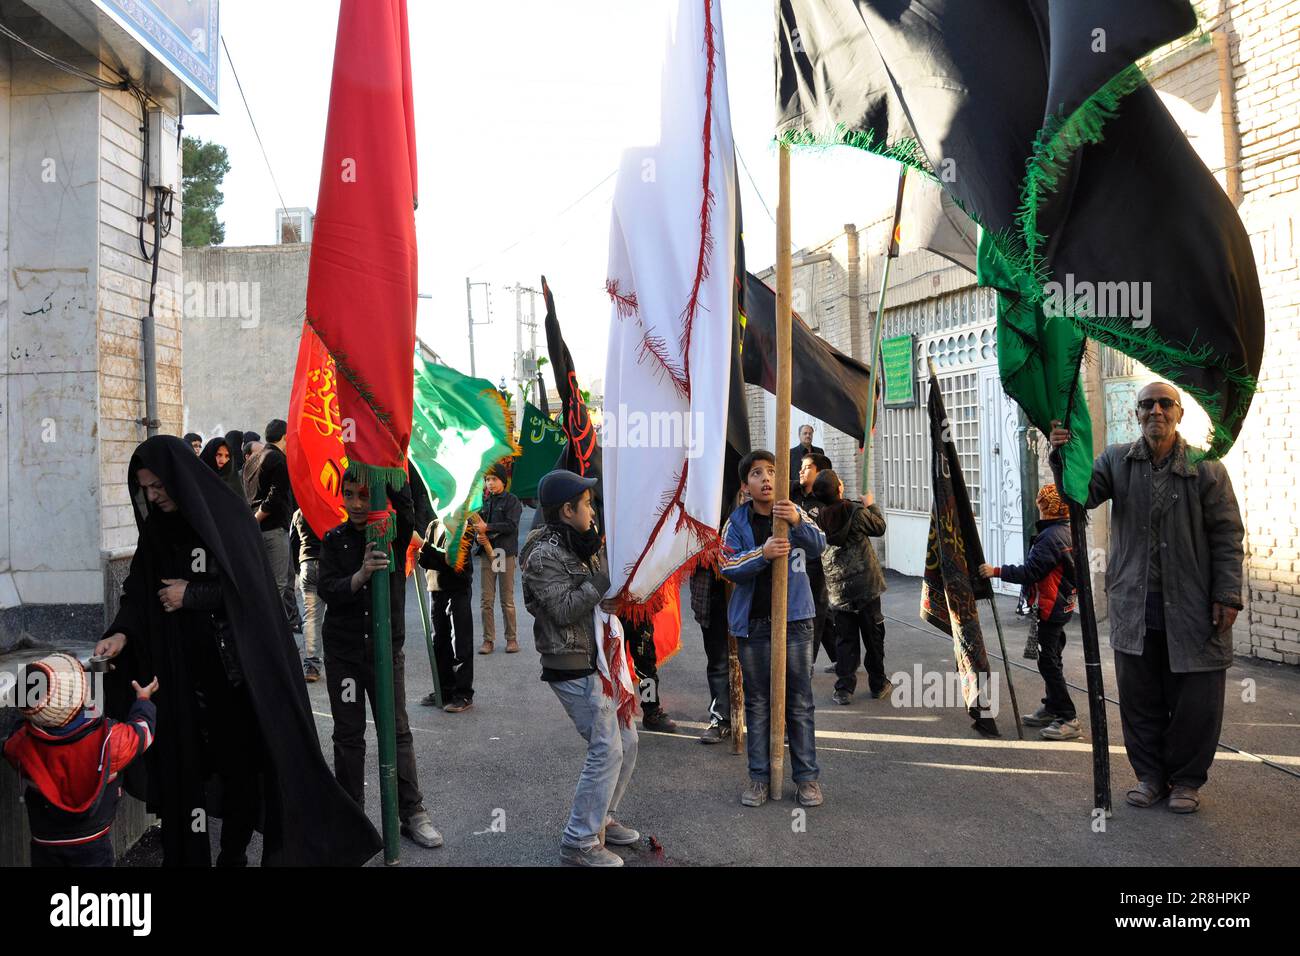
x,y
1255,154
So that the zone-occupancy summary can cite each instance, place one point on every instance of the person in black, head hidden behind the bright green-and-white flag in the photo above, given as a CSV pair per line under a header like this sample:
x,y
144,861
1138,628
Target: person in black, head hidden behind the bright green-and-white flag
x,y
453,621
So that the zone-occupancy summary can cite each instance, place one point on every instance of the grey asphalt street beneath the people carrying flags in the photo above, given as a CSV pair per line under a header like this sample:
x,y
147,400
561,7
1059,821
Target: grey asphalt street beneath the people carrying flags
x,y
904,785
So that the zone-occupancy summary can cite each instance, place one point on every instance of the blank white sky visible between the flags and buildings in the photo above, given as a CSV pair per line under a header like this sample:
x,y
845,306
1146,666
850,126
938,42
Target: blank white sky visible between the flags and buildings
x,y
523,110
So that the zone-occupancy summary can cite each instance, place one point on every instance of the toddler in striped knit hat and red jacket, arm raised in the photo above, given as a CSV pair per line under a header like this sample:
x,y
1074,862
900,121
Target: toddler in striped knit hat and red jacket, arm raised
x,y
70,760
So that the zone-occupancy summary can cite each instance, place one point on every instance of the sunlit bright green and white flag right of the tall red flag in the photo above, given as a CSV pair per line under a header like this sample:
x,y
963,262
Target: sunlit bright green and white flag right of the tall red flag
x,y
461,429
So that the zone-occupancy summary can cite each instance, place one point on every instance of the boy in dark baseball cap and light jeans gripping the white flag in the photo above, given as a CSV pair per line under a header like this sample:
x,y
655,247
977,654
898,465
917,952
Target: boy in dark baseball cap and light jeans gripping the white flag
x,y
565,581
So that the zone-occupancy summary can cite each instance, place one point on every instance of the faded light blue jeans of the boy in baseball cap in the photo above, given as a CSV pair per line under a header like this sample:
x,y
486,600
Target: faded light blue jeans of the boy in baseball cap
x,y
612,755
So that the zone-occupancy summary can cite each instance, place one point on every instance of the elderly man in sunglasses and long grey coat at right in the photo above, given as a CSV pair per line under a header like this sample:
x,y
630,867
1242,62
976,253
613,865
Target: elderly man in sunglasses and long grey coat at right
x,y
1175,585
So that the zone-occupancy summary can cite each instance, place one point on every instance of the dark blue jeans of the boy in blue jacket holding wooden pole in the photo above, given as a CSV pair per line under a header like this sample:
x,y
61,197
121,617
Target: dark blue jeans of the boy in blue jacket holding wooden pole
x,y
756,661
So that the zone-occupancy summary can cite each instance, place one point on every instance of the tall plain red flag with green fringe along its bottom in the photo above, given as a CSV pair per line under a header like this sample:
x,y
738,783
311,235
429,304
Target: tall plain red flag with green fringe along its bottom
x,y
362,282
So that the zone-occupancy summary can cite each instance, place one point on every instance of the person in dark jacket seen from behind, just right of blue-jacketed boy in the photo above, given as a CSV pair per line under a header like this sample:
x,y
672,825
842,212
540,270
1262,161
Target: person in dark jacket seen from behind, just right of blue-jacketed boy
x,y
855,585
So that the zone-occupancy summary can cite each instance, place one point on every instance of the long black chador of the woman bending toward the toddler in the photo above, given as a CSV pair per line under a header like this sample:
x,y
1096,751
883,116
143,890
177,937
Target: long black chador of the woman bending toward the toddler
x,y
309,820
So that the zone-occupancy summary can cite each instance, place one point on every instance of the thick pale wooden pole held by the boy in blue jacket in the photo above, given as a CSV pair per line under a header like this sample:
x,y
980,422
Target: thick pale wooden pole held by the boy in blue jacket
x,y
781,581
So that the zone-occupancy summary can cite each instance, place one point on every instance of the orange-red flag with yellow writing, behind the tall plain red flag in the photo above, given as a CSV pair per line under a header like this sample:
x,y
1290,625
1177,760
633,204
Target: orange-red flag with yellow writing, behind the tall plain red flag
x,y
315,447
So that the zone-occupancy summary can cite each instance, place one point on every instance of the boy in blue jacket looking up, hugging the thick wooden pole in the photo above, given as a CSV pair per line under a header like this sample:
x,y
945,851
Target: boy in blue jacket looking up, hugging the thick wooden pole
x,y
749,550
